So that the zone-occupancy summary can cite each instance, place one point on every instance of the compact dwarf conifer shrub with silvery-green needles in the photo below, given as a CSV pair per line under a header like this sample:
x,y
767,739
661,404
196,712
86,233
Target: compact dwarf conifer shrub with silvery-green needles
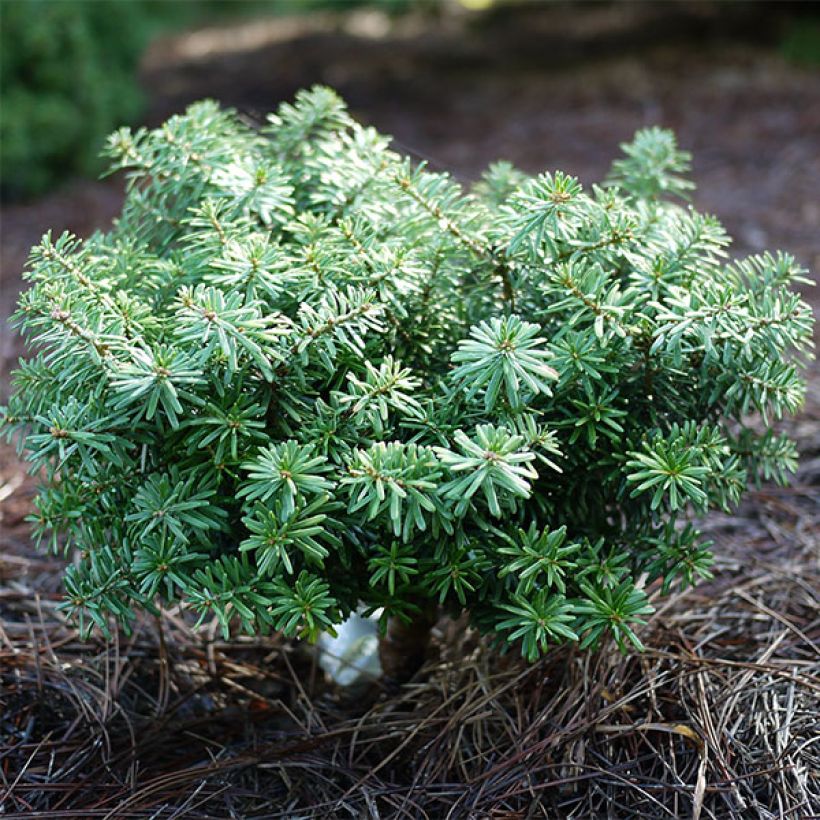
x,y
303,374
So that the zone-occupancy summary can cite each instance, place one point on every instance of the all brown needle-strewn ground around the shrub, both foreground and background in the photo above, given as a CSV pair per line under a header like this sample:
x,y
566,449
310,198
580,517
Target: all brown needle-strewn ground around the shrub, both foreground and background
x,y
718,719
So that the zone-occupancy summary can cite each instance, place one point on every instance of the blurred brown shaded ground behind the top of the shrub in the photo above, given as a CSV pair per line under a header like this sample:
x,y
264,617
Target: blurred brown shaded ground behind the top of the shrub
x,y
551,91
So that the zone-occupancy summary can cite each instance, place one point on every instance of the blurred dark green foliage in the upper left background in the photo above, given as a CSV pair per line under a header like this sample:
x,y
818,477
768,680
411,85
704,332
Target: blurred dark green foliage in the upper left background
x,y
68,74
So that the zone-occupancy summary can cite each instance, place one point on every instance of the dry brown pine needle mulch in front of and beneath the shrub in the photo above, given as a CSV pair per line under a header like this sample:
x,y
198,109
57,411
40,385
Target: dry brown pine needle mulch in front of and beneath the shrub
x,y
719,718
